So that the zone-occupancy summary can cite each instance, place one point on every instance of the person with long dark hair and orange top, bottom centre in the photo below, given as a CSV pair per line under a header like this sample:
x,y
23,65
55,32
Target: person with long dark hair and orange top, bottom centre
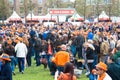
x,y
68,73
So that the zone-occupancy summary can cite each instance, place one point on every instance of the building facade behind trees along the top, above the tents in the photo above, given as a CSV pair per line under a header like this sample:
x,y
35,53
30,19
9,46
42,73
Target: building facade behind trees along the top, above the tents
x,y
87,8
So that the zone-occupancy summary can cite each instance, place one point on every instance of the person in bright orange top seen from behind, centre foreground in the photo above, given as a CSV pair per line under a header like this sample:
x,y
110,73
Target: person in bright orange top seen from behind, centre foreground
x,y
61,58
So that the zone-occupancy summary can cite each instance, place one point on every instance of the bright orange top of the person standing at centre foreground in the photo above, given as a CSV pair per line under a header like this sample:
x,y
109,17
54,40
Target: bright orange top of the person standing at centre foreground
x,y
61,58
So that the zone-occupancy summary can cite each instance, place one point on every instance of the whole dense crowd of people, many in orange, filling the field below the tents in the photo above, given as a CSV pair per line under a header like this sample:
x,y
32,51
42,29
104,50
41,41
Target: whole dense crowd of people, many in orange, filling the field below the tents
x,y
62,47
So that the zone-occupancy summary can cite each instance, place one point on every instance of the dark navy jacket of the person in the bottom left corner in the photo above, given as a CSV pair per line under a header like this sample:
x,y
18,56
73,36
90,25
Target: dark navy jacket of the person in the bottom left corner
x,y
6,72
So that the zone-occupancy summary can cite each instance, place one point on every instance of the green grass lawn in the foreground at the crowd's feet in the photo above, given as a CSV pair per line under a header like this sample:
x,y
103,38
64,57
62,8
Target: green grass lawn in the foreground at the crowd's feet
x,y
37,73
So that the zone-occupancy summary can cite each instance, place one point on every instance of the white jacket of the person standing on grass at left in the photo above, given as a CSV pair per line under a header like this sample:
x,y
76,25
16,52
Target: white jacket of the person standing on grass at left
x,y
21,50
